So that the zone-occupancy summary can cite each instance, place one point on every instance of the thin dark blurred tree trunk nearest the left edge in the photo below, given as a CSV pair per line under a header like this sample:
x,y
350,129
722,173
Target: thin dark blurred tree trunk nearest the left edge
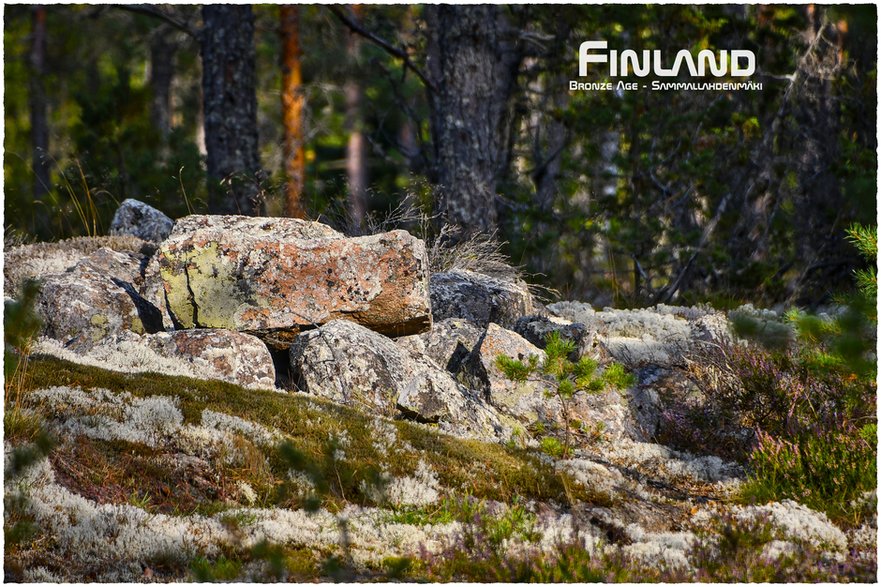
x,y
39,123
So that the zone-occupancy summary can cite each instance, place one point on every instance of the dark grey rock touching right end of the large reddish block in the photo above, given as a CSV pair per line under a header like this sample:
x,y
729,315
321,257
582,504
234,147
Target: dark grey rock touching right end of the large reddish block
x,y
479,298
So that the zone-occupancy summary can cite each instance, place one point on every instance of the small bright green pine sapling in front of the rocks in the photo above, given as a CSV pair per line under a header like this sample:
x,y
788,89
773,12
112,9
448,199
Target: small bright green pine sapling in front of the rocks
x,y
569,378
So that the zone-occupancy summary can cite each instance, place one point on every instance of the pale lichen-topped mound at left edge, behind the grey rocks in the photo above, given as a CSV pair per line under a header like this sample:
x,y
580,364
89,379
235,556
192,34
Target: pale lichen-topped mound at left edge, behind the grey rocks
x,y
37,260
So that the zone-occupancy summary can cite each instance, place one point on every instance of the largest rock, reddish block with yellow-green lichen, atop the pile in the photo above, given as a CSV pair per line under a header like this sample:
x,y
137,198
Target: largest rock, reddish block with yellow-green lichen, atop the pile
x,y
273,276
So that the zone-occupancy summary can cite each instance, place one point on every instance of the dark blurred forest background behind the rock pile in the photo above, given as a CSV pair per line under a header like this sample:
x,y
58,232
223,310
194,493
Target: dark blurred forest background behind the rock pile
x,y
626,198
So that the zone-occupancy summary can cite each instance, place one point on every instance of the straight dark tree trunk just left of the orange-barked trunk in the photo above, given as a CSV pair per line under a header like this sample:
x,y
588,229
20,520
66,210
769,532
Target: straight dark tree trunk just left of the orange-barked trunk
x,y
230,103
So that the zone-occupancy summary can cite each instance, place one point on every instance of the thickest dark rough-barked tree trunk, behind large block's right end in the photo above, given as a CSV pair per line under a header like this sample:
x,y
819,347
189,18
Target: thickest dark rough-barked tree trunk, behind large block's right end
x,y
472,63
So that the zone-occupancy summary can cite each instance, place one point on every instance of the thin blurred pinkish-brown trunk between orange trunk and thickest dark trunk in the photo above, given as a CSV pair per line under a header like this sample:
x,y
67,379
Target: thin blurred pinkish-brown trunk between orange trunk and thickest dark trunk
x,y
356,149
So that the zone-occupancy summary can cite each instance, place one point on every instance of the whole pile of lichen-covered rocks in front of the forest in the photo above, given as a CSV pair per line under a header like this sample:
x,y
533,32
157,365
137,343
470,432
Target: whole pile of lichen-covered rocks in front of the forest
x,y
296,305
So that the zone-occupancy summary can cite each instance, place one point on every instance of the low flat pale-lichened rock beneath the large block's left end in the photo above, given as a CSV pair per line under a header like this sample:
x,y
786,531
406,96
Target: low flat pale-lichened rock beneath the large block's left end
x,y
225,355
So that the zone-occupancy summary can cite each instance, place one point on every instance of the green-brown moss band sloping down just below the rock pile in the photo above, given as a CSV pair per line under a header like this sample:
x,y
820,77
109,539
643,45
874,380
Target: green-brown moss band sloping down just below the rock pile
x,y
488,471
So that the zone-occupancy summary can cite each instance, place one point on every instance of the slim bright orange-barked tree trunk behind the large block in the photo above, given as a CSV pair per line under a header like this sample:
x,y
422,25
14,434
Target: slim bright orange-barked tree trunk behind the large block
x,y
292,103
